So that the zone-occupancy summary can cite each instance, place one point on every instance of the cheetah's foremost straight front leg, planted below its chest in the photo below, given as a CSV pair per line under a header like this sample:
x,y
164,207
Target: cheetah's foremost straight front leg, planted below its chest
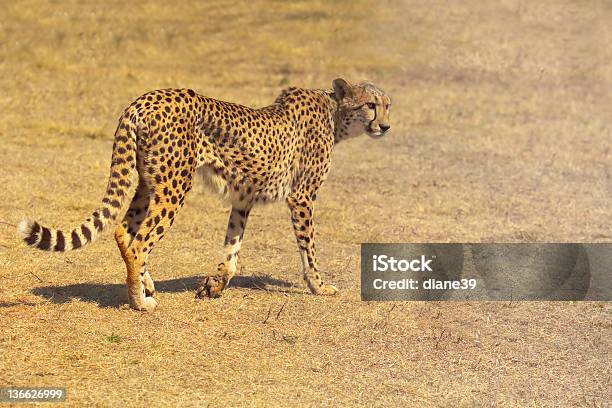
x,y
302,218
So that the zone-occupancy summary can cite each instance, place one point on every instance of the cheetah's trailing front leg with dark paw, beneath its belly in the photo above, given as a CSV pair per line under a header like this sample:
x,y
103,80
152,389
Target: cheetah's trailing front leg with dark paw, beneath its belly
x,y
213,285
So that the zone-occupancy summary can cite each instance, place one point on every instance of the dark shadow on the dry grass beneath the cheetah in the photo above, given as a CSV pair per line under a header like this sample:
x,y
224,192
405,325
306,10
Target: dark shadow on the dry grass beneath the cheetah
x,y
114,295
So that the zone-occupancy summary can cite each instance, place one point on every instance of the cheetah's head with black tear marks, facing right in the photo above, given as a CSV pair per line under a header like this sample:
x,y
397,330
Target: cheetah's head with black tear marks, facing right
x,y
362,108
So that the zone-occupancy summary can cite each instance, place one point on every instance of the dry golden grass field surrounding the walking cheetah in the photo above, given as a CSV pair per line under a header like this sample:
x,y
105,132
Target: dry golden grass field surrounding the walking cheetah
x,y
501,131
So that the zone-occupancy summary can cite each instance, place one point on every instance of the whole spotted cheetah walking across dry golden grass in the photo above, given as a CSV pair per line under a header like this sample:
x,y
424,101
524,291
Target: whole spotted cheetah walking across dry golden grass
x,y
248,156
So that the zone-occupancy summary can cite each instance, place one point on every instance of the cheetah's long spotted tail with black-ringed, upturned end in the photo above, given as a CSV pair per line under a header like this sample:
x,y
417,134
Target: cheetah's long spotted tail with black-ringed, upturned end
x,y
123,174
